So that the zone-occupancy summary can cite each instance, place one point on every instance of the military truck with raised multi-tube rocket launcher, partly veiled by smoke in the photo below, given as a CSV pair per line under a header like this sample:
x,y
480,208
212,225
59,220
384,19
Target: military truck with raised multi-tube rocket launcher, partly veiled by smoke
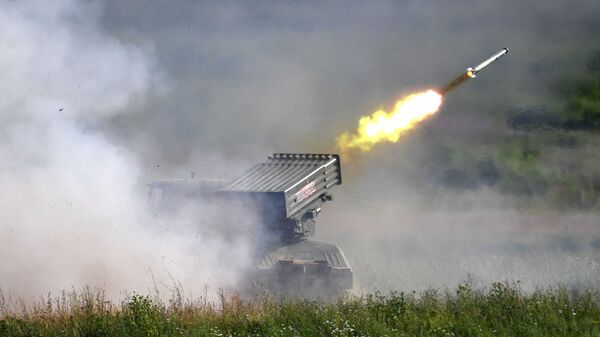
x,y
287,192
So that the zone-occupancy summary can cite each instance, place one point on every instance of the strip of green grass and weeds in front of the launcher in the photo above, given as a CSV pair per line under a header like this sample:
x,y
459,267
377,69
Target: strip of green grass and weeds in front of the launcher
x,y
500,310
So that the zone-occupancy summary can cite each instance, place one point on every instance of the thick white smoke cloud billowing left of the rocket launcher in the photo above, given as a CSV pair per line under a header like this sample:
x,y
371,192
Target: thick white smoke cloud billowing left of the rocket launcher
x,y
72,209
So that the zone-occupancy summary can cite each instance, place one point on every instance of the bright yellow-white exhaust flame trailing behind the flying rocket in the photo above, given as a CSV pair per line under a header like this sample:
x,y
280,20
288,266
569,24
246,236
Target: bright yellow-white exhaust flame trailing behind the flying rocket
x,y
389,126
